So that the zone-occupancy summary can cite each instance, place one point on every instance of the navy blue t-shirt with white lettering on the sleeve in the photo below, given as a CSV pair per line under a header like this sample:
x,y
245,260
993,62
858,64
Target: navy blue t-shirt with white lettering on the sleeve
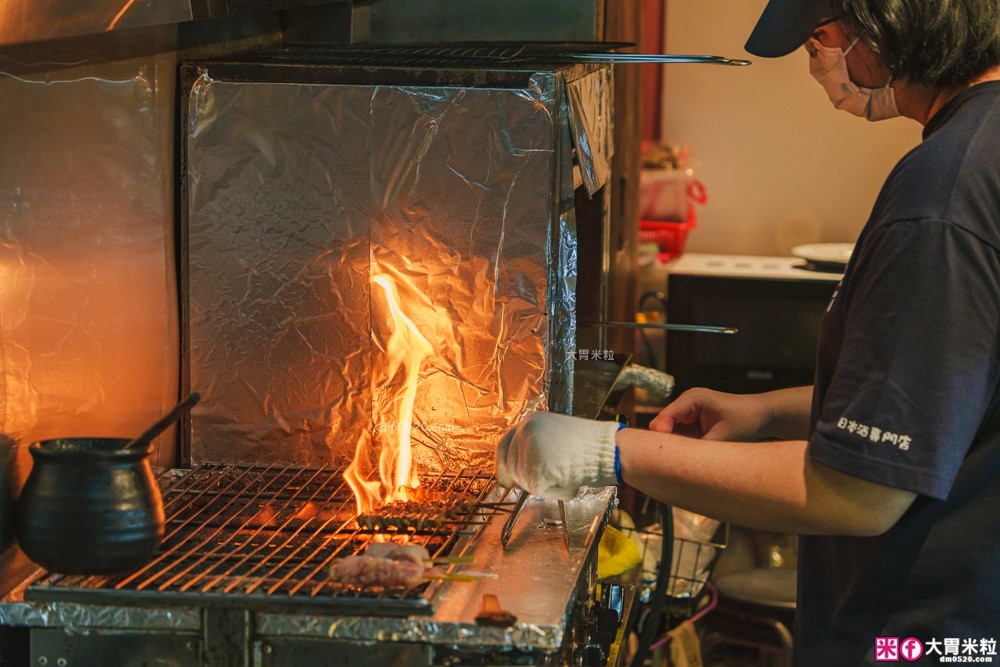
x,y
906,395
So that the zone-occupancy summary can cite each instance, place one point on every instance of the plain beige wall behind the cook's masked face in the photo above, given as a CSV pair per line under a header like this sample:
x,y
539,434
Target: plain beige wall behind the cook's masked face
x,y
781,166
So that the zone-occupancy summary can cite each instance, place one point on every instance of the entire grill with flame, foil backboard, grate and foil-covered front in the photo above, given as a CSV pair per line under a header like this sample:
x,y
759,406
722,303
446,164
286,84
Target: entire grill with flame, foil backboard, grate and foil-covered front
x,y
377,278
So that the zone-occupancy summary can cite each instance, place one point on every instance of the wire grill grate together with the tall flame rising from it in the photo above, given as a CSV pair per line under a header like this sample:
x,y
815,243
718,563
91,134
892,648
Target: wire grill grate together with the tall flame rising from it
x,y
268,534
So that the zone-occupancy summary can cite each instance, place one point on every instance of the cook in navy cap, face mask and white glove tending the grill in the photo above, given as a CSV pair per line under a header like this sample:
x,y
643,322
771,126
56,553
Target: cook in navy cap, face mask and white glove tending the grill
x,y
888,467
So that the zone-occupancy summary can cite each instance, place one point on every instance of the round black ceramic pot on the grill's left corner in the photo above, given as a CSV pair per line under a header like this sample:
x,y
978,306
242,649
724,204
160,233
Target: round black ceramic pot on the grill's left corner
x,y
89,506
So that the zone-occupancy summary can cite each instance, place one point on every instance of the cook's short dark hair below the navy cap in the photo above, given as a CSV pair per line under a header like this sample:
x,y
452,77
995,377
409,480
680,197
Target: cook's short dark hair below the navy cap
x,y
939,43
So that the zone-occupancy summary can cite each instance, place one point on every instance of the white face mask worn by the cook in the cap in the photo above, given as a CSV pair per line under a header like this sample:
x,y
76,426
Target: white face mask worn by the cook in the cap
x,y
829,67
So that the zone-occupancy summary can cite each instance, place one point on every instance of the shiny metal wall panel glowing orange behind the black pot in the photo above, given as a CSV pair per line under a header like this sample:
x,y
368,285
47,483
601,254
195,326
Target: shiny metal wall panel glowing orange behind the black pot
x,y
89,333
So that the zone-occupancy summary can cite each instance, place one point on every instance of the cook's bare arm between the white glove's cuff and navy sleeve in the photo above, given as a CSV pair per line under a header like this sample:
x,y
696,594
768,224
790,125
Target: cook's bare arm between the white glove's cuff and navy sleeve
x,y
765,485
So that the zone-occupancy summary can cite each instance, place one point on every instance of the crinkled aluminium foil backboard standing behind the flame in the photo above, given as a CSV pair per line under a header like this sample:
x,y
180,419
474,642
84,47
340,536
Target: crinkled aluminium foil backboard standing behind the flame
x,y
299,194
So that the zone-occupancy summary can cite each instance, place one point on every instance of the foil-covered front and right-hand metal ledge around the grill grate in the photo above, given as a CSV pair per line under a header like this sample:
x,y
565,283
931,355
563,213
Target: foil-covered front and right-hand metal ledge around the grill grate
x,y
548,589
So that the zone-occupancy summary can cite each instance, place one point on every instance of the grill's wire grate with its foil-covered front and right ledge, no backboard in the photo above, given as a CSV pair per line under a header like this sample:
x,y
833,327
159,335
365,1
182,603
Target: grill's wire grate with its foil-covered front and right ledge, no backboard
x,y
238,584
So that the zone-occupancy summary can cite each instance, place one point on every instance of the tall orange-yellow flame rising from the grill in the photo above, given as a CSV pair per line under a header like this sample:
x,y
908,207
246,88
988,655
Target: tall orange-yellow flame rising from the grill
x,y
406,350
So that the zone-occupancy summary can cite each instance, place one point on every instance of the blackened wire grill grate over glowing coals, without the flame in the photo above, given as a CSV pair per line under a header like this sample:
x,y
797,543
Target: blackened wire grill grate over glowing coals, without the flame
x,y
263,537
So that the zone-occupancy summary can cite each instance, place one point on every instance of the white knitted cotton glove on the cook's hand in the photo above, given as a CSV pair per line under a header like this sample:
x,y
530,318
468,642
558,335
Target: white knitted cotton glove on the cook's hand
x,y
552,455
